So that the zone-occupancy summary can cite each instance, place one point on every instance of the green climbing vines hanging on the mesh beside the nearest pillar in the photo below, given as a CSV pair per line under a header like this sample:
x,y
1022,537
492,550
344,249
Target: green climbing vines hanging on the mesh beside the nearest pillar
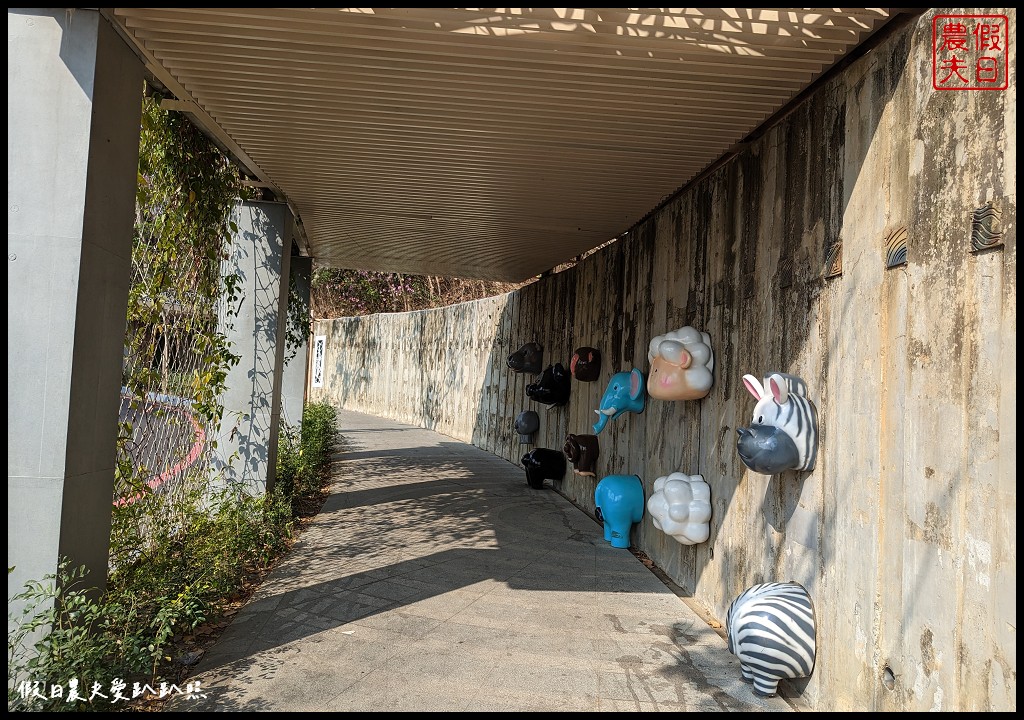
x,y
187,189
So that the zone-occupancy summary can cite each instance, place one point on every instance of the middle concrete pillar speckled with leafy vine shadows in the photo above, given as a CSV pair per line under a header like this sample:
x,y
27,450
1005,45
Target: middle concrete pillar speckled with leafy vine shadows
x,y
261,258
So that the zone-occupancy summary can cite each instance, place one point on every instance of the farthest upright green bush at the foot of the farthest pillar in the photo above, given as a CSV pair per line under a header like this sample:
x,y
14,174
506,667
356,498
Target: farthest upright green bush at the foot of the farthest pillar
x,y
305,456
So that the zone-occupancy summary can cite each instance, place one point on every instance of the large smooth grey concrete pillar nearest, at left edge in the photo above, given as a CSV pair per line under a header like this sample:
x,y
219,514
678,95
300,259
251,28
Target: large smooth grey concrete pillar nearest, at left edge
x,y
74,104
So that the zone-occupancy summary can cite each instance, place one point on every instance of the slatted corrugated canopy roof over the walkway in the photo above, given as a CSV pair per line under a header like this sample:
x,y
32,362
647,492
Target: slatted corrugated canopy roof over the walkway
x,y
483,143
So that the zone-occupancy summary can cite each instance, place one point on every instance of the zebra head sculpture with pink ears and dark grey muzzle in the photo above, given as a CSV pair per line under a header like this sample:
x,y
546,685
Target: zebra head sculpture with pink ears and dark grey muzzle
x,y
784,435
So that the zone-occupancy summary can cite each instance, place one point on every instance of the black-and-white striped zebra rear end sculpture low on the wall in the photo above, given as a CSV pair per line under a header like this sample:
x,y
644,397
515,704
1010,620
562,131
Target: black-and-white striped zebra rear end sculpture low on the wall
x,y
771,629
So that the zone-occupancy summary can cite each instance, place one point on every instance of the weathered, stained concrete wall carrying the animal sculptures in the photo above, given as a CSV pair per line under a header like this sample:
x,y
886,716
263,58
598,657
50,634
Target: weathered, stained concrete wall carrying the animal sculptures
x,y
905,533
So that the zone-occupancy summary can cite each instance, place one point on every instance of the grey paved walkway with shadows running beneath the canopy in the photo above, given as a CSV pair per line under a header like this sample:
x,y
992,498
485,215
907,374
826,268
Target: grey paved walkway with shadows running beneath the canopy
x,y
435,579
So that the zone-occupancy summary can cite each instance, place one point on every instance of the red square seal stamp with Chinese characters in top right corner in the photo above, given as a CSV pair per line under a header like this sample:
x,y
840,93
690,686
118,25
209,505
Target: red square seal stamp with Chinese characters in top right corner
x,y
970,53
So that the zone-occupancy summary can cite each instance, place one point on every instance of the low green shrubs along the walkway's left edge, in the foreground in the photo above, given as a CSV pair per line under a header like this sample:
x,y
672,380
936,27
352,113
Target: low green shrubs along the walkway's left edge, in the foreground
x,y
167,580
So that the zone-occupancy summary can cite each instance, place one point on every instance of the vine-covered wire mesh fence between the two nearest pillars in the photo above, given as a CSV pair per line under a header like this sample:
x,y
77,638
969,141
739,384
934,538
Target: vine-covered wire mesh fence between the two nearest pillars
x,y
176,358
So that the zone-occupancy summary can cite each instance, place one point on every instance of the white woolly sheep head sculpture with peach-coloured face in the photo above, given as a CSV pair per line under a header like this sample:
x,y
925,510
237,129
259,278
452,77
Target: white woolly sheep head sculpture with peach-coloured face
x,y
681,365
